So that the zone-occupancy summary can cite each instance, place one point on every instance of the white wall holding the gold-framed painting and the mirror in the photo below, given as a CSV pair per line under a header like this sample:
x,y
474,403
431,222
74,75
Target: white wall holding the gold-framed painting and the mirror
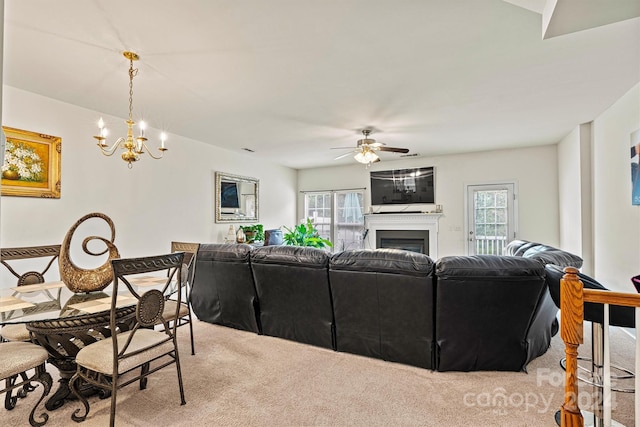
x,y
151,204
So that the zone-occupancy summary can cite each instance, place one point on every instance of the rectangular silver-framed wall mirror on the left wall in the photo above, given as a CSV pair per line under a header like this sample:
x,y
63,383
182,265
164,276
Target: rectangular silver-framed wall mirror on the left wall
x,y
236,198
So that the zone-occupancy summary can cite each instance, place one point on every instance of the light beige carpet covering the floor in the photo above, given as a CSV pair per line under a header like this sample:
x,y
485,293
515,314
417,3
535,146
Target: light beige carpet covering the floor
x,y
239,378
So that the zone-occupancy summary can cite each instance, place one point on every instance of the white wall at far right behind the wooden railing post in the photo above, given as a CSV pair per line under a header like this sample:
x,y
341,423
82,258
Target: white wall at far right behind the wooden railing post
x,y
616,233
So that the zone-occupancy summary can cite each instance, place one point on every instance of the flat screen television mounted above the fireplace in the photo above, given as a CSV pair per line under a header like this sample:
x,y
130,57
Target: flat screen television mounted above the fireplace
x,y
403,186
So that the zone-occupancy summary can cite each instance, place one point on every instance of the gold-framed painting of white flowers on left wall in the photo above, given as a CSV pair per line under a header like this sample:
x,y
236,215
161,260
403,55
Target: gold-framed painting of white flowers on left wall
x,y
31,164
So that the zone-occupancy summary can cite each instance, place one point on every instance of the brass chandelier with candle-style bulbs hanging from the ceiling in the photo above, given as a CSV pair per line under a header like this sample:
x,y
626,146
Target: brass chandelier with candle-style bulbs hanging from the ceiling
x,y
132,146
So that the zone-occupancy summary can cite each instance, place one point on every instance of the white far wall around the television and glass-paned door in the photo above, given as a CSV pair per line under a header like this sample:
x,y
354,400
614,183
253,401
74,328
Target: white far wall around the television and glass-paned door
x,y
534,169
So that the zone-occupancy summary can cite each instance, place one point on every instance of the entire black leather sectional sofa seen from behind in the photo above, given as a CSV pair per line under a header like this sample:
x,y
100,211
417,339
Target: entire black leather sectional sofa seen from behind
x,y
461,313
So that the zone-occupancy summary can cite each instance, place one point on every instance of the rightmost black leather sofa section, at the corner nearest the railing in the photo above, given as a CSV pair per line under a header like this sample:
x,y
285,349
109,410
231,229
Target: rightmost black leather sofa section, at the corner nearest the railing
x,y
492,313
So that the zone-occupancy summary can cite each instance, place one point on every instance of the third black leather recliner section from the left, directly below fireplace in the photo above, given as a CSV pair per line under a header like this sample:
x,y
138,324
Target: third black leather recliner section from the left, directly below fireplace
x,y
383,304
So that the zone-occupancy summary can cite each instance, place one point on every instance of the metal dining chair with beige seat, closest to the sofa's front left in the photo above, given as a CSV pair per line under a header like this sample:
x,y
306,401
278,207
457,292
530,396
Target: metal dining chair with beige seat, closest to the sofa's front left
x,y
125,357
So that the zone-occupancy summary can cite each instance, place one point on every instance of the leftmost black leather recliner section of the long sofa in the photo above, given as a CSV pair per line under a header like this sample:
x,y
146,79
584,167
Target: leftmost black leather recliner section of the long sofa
x,y
223,291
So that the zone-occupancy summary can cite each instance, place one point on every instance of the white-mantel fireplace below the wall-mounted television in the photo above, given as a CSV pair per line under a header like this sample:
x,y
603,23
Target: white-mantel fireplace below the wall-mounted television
x,y
415,231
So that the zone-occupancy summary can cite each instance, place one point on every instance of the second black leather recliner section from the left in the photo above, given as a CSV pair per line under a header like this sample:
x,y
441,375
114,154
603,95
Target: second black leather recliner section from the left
x,y
293,289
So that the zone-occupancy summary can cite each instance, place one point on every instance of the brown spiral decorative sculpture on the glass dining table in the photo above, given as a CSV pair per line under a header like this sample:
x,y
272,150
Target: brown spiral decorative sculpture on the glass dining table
x,y
79,279
